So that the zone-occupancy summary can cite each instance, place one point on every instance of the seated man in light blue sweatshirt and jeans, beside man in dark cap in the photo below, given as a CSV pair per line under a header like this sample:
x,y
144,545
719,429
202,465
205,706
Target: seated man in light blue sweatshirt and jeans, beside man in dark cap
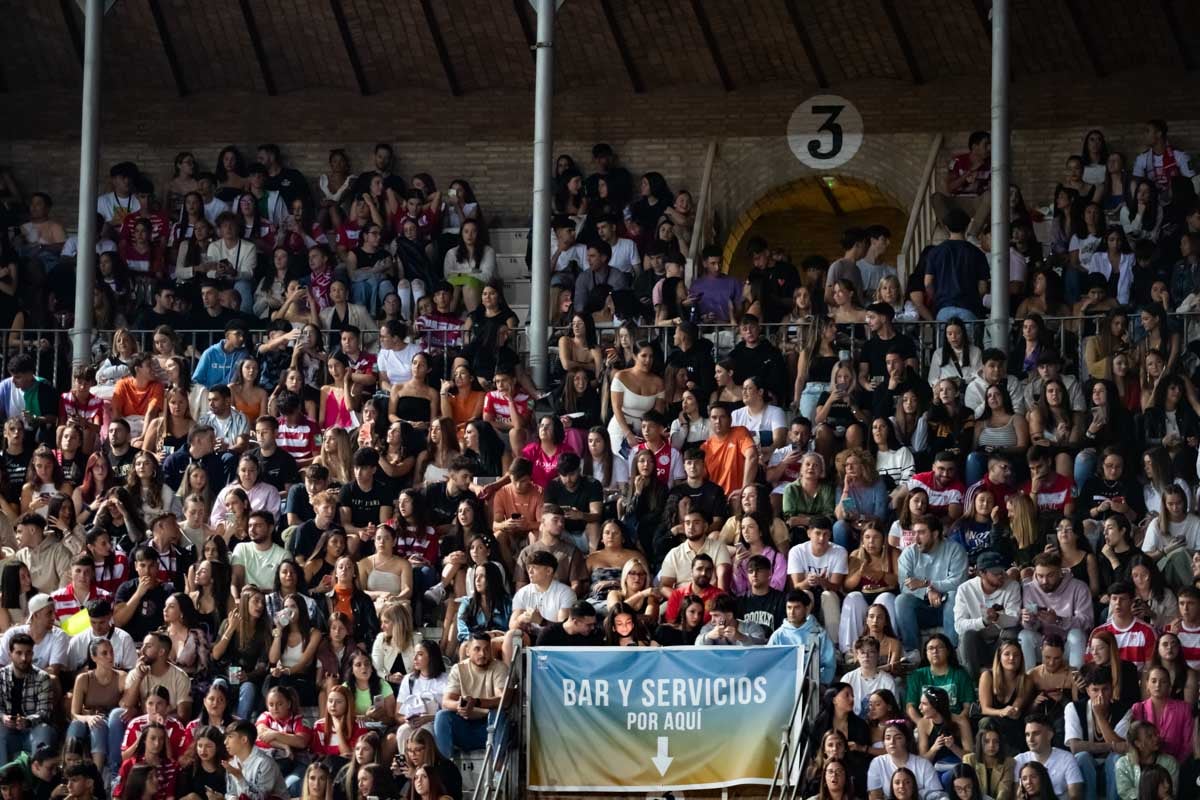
x,y
931,573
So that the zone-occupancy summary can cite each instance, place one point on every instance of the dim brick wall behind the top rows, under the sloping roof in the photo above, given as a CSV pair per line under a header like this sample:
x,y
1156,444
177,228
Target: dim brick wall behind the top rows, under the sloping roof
x,y
485,137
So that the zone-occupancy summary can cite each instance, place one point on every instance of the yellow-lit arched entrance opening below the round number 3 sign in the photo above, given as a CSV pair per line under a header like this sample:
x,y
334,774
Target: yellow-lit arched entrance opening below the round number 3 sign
x,y
807,216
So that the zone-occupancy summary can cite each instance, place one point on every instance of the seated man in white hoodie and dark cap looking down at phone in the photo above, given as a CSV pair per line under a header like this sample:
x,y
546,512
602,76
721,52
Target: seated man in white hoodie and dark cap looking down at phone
x,y
986,607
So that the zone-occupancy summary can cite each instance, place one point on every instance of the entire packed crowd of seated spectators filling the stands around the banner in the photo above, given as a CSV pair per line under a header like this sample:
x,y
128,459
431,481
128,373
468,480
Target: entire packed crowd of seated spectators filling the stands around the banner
x,y
314,438
